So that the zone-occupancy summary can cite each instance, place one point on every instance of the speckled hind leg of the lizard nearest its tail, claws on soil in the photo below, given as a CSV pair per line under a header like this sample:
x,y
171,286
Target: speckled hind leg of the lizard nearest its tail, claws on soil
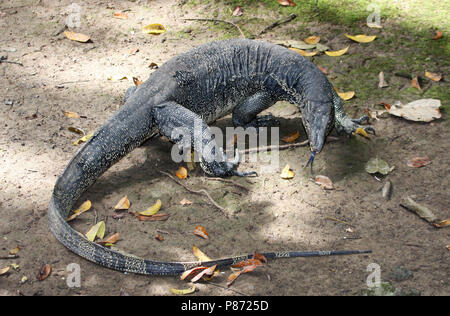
x,y
187,129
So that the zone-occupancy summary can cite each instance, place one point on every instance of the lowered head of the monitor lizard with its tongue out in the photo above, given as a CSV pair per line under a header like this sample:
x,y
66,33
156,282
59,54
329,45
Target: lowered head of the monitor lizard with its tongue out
x,y
318,120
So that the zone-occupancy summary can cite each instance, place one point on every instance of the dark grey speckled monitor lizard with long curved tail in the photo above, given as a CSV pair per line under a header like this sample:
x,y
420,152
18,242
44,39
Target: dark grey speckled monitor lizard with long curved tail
x,y
242,77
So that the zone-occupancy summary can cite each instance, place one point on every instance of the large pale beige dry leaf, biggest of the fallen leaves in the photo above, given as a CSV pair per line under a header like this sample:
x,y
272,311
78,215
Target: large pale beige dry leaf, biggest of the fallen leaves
x,y
422,110
